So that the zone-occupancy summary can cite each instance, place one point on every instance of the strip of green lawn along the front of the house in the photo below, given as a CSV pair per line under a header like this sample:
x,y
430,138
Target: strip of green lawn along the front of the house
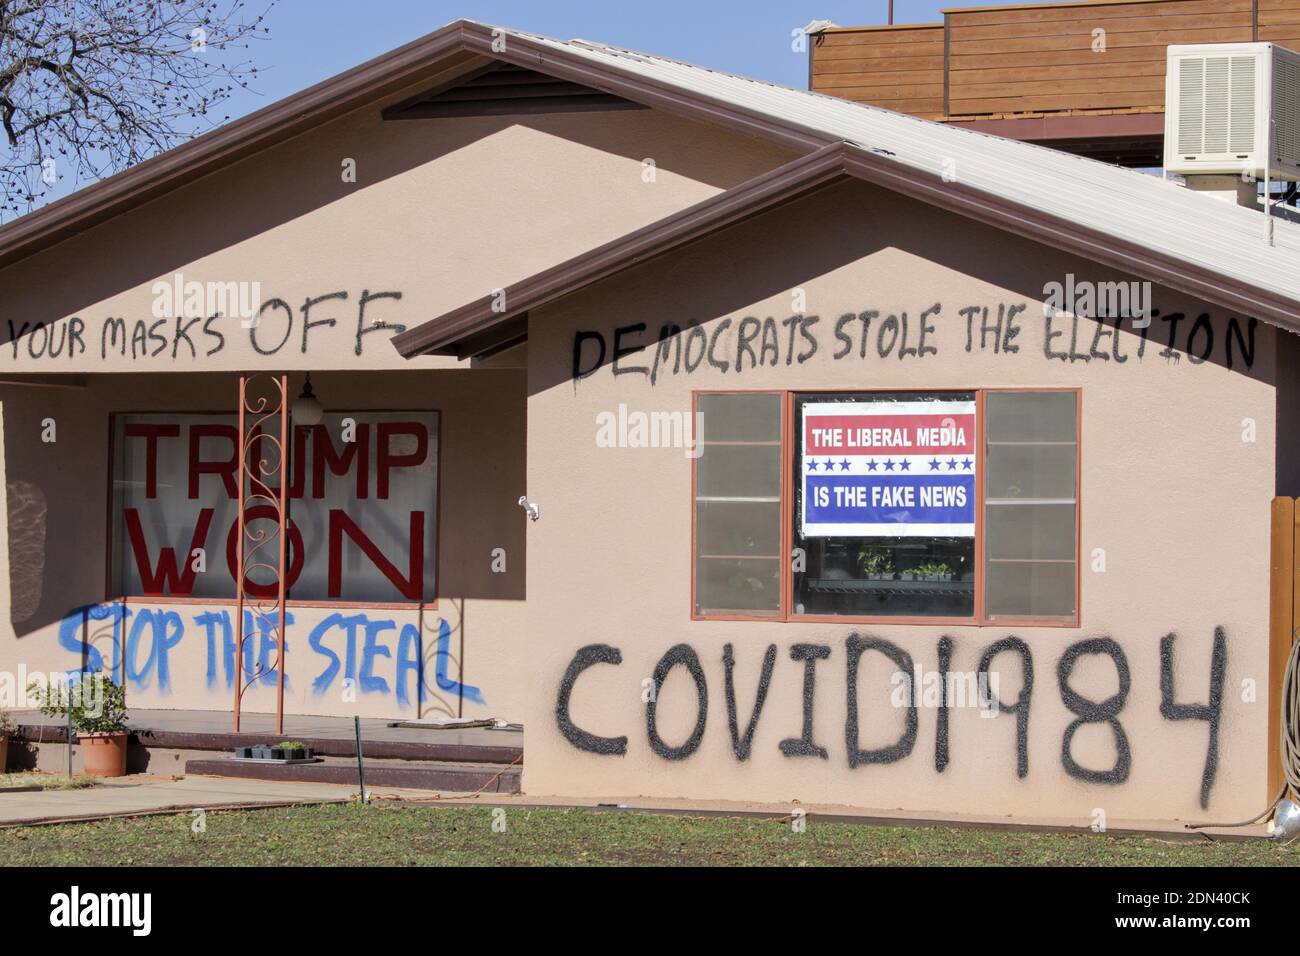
x,y
382,836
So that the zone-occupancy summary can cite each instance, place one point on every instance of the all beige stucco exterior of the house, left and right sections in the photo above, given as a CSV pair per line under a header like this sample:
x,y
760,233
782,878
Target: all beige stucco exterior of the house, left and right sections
x,y
1175,499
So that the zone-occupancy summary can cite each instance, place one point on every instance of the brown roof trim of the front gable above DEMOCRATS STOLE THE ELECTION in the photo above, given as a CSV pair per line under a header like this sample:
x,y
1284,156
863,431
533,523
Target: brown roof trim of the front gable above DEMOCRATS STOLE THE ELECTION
x,y
454,332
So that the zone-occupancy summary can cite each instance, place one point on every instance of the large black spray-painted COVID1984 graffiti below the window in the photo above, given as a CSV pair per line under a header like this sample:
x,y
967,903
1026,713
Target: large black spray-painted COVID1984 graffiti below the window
x,y
1085,711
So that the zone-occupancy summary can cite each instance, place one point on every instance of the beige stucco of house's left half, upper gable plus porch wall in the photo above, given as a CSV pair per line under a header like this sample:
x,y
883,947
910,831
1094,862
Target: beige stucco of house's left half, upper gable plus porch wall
x,y
439,214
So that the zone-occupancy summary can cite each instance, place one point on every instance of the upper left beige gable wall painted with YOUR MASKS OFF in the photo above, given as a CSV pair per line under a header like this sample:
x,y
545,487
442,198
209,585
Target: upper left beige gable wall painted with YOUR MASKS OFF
x,y
441,213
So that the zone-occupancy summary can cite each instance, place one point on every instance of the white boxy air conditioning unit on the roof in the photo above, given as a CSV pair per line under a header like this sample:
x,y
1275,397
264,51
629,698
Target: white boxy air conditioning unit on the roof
x,y
1233,109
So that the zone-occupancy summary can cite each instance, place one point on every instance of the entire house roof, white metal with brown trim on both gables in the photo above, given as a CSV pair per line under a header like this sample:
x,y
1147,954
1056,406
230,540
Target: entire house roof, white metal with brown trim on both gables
x,y
1156,230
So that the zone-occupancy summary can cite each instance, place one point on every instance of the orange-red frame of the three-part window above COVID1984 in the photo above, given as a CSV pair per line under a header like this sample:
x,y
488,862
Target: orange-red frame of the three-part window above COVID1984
x,y
786,613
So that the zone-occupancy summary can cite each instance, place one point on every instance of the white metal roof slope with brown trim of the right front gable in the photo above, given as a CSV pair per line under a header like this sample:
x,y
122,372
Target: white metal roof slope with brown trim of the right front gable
x,y
1134,222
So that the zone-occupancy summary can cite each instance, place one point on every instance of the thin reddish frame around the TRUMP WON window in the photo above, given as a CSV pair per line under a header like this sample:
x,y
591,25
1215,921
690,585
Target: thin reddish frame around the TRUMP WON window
x,y
166,600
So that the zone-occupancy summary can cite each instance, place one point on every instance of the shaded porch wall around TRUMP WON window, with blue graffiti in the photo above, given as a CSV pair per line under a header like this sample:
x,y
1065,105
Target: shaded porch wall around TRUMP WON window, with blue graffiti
x,y
53,577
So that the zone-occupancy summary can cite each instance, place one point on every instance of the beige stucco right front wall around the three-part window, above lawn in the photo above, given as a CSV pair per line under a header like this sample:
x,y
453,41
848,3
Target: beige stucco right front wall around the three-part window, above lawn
x,y
1175,492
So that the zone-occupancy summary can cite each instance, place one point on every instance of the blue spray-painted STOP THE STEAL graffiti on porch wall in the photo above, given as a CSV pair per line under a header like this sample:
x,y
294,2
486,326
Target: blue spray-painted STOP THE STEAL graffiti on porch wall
x,y
369,655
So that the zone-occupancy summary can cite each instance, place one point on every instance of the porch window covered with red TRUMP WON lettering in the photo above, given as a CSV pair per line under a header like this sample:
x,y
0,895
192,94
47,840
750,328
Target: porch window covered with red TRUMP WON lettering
x,y
362,508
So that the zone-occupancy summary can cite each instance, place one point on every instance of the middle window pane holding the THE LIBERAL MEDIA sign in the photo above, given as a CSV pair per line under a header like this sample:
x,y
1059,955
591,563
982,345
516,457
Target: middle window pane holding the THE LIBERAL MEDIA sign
x,y
885,504
